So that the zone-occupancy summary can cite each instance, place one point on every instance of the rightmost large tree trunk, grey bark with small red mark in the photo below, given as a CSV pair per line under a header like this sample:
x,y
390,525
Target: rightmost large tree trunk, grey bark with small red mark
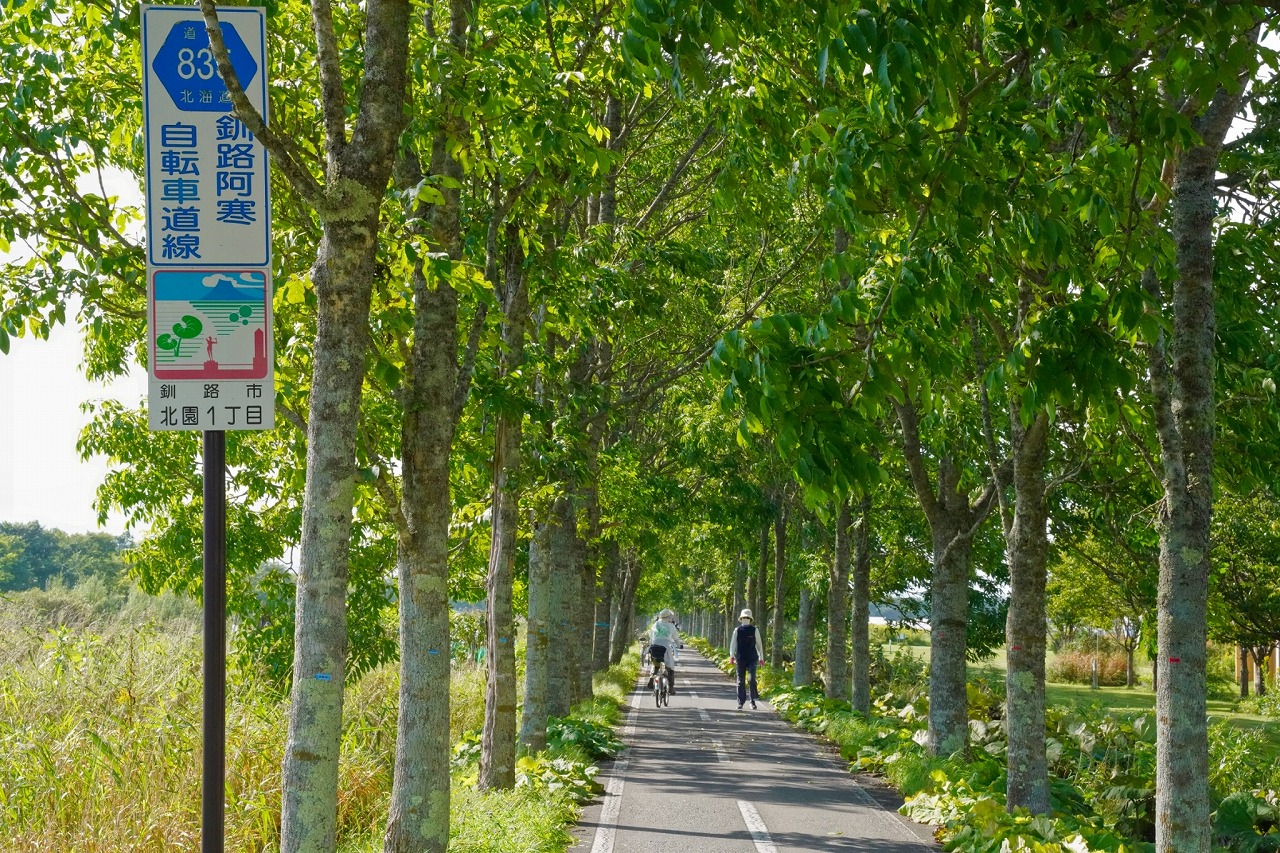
x,y
1183,395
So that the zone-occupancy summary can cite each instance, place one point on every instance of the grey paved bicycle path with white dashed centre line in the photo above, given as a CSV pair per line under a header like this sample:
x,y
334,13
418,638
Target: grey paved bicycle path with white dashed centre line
x,y
702,777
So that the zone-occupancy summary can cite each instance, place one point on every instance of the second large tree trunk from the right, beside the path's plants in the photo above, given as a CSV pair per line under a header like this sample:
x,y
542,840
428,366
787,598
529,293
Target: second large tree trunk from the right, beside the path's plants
x,y
1026,627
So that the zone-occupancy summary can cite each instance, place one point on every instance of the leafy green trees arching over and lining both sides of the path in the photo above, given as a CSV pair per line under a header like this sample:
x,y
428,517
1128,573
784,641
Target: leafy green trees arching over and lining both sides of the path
x,y
964,275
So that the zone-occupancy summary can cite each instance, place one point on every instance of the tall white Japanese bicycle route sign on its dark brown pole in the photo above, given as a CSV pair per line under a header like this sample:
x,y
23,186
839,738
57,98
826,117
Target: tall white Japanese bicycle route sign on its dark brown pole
x,y
209,293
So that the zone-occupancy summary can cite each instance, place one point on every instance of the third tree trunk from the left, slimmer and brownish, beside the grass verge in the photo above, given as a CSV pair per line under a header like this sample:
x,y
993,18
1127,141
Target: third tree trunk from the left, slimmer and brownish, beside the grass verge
x,y
499,738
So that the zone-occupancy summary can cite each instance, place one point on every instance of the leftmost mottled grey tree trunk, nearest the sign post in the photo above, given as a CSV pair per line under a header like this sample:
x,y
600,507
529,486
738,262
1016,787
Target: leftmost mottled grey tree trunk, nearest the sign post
x,y
344,277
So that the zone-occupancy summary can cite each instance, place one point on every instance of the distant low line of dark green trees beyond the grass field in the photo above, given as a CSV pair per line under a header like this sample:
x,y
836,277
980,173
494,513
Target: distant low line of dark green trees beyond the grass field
x,y
33,556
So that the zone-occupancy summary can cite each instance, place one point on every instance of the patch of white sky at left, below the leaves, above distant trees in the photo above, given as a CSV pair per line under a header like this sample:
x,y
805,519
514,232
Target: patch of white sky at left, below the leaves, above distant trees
x,y
43,477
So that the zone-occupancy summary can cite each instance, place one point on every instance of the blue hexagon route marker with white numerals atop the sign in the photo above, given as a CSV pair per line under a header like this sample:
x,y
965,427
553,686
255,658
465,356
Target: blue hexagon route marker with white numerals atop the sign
x,y
185,67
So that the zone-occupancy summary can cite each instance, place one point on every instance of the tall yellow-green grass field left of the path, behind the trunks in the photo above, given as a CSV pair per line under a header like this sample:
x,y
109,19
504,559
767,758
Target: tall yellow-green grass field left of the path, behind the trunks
x,y
100,737
